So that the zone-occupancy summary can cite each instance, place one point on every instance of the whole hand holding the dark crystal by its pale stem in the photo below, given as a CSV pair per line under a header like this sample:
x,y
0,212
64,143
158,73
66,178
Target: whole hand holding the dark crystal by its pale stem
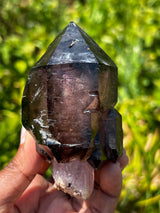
x,y
23,189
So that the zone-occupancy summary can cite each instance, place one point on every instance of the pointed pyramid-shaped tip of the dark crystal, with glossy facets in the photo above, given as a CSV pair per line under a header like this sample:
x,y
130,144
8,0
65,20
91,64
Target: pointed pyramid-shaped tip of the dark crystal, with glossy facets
x,y
73,45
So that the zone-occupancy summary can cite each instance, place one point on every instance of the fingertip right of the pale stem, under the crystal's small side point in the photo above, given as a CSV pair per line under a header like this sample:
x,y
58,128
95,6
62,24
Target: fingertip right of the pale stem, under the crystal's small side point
x,y
105,197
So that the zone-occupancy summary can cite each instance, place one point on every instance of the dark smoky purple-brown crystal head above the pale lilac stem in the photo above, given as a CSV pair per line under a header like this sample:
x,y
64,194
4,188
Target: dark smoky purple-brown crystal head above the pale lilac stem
x,y
69,98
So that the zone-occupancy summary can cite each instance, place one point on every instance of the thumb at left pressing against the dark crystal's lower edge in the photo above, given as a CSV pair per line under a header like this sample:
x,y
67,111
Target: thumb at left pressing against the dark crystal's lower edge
x,y
19,173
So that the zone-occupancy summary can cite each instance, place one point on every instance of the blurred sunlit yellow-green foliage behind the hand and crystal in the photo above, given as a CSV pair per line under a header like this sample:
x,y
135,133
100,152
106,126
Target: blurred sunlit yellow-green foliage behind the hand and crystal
x,y
129,32
